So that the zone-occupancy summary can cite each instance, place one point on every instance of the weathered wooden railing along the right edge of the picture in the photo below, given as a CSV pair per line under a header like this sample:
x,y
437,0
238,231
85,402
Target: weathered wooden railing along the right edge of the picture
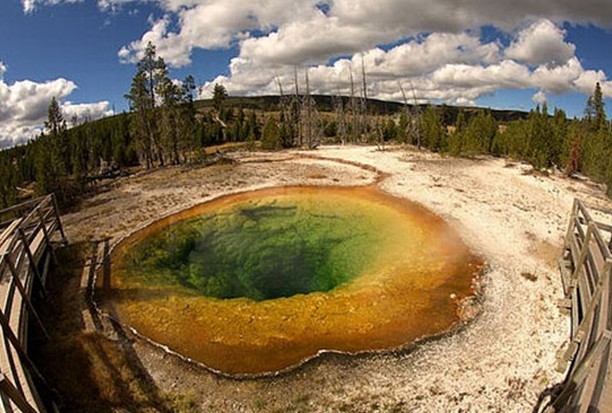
x,y
586,271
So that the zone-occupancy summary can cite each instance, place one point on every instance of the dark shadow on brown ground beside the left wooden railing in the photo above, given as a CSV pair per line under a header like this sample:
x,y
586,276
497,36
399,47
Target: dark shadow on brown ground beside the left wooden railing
x,y
88,371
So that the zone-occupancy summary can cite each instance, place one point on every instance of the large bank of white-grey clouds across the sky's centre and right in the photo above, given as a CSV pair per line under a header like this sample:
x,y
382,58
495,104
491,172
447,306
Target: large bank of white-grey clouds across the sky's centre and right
x,y
432,48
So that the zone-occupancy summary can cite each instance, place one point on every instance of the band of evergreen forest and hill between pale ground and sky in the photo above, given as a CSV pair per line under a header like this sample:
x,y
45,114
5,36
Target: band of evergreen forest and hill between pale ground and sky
x,y
166,126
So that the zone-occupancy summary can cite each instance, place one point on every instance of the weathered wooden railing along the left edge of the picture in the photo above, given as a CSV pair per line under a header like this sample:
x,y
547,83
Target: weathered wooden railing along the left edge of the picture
x,y
26,232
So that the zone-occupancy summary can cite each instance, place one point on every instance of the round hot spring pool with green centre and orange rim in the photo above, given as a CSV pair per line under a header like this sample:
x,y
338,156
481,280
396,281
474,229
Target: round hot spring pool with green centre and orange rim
x,y
259,282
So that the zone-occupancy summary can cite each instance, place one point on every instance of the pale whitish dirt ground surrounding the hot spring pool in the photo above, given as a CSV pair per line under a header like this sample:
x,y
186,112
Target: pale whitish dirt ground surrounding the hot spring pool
x,y
499,362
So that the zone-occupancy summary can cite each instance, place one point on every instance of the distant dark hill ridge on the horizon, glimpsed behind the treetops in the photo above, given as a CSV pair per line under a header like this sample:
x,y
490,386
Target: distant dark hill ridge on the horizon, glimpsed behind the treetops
x,y
326,103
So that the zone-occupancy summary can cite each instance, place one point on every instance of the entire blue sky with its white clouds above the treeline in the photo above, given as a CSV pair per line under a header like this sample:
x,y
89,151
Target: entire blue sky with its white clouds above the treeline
x,y
502,56
